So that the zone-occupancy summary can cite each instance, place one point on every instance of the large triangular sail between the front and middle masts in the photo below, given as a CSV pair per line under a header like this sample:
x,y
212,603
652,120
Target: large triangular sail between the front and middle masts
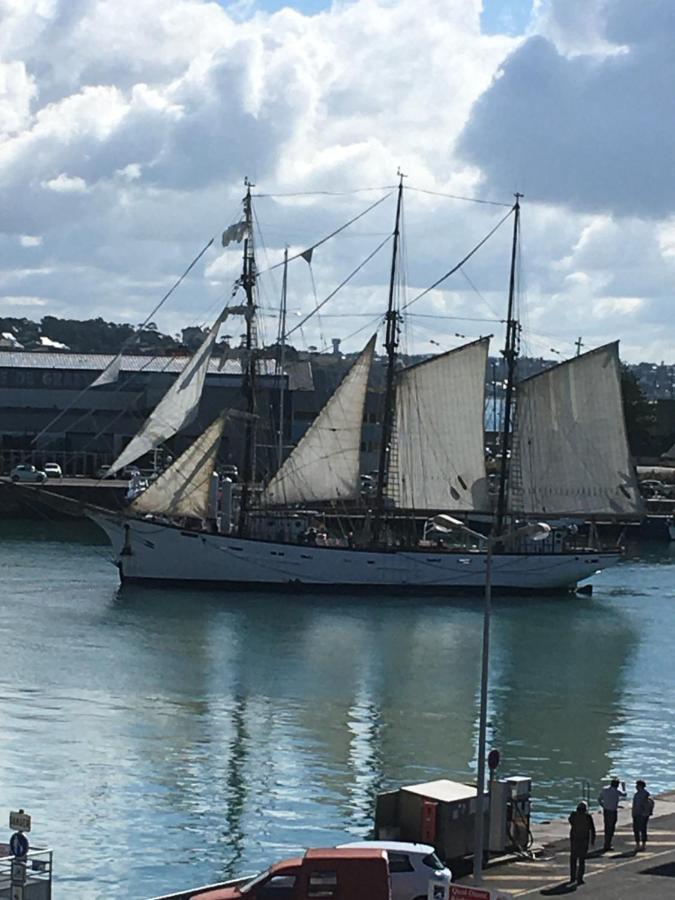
x,y
325,465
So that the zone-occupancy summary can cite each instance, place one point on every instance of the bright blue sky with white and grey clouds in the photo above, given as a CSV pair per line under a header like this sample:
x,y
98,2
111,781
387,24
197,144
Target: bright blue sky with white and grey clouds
x,y
127,129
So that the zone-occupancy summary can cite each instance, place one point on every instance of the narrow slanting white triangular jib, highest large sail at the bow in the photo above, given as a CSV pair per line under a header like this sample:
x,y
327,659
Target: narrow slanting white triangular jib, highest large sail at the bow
x,y
176,408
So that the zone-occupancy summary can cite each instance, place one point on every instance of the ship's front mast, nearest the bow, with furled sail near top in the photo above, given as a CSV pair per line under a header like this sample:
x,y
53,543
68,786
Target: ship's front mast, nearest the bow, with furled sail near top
x,y
250,369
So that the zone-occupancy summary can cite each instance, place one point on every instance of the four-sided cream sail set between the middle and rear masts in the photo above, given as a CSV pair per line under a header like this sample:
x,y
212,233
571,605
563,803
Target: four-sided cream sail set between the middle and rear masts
x,y
438,449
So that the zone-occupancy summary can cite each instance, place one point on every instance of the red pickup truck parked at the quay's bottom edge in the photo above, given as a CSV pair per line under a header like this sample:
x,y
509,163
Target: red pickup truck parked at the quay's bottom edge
x,y
331,874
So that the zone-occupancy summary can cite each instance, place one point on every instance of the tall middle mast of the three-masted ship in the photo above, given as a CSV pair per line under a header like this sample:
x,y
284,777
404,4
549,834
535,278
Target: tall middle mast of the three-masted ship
x,y
391,345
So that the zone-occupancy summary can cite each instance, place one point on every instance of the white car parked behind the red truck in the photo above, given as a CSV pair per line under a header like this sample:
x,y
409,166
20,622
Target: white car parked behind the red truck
x,y
411,866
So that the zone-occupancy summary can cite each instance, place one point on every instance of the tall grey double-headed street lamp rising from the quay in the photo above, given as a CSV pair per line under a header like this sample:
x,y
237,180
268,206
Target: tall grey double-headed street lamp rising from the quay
x,y
536,531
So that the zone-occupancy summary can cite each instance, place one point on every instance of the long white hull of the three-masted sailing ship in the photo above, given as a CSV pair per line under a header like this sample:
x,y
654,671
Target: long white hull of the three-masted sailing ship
x,y
147,551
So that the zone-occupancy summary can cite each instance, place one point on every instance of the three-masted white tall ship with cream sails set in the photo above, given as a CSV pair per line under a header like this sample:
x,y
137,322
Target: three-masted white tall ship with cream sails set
x,y
563,457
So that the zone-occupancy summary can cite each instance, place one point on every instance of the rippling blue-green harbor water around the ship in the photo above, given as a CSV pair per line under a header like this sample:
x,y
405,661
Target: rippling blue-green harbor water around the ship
x,y
167,738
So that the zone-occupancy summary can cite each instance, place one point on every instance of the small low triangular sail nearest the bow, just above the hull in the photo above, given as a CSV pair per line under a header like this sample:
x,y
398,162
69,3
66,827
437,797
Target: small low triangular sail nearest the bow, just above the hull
x,y
184,489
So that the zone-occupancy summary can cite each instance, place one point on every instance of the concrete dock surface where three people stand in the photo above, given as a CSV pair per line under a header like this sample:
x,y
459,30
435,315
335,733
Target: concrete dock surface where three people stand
x,y
620,873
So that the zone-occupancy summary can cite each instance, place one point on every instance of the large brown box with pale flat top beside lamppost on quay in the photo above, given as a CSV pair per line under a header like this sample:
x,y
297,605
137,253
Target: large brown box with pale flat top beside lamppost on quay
x,y
441,813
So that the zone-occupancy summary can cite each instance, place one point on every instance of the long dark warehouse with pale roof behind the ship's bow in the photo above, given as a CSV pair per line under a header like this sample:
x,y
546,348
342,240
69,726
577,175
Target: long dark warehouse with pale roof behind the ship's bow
x,y
98,423
